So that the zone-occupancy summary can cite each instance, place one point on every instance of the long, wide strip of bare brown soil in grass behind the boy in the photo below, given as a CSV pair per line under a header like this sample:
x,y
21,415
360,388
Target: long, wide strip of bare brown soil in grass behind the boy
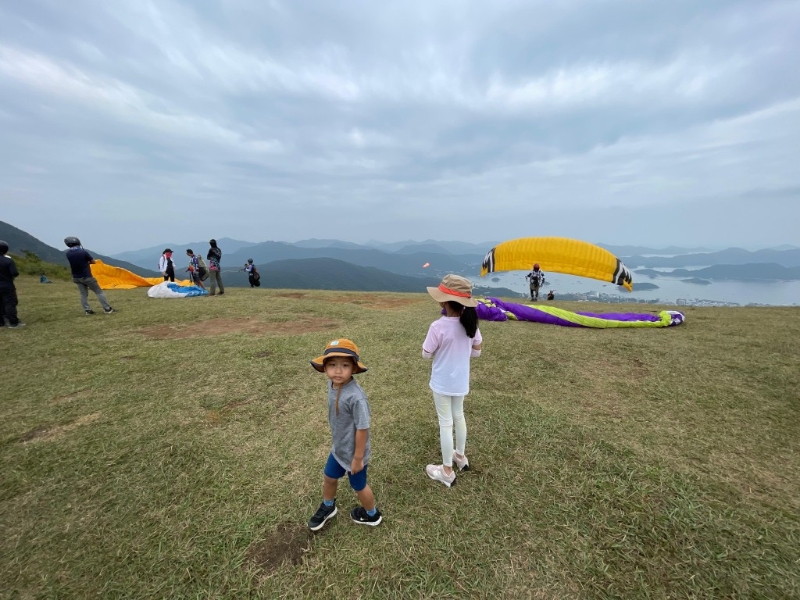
x,y
214,327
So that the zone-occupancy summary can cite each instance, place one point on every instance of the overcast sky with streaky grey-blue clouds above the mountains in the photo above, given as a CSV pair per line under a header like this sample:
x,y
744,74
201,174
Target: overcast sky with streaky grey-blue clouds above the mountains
x,y
132,122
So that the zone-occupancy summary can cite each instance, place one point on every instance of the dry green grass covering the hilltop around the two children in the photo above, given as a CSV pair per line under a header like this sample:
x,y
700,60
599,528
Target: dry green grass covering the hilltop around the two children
x,y
175,450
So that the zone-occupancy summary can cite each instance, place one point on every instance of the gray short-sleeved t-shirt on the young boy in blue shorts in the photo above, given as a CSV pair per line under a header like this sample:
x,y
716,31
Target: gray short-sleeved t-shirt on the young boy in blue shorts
x,y
353,415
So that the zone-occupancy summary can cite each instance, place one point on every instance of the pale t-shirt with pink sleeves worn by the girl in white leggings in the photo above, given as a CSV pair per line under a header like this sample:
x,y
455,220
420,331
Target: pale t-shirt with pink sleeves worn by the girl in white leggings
x,y
451,349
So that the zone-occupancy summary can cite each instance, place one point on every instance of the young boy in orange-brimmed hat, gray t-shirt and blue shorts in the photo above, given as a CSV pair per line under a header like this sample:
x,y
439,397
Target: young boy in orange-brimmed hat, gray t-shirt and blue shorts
x,y
348,415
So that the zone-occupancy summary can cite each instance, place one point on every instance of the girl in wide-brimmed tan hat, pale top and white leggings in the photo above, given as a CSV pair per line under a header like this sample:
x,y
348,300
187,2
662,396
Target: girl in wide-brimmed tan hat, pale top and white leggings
x,y
451,341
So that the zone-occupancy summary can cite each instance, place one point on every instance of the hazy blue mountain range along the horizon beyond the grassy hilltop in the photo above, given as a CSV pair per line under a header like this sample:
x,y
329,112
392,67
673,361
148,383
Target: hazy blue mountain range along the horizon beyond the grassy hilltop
x,y
410,265
